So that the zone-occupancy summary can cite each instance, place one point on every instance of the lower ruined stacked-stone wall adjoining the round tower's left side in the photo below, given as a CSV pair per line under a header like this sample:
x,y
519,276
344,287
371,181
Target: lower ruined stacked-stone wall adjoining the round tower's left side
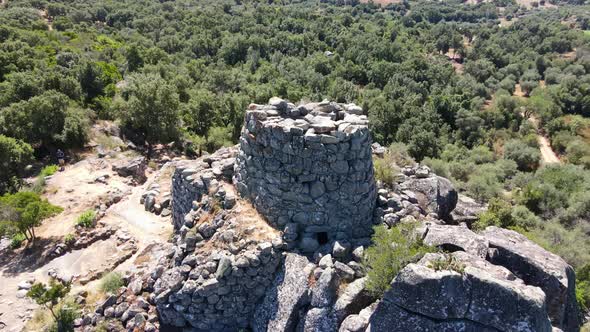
x,y
225,255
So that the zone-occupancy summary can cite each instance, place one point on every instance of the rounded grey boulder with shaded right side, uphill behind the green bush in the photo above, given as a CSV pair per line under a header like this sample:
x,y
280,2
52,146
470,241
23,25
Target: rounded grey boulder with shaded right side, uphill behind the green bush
x,y
434,194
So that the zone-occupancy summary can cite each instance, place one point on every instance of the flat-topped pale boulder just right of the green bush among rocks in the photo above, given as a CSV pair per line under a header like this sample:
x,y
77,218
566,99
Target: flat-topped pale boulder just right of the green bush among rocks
x,y
453,238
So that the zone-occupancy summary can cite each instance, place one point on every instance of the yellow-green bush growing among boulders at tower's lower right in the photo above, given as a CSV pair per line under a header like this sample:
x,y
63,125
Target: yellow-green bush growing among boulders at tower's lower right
x,y
391,251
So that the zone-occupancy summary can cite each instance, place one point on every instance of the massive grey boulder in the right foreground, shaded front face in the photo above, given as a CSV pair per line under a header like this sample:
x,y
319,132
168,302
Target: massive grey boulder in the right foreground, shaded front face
x,y
453,294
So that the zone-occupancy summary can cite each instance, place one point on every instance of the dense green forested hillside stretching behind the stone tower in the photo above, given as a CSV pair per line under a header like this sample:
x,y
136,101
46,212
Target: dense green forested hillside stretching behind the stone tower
x,y
467,89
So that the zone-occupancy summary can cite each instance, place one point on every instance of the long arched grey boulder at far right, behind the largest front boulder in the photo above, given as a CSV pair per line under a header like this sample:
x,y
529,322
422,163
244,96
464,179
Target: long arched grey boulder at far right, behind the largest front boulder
x,y
538,267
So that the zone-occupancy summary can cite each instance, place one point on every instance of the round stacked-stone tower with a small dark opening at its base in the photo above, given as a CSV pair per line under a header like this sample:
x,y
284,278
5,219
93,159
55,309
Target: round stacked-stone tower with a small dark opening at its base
x,y
308,170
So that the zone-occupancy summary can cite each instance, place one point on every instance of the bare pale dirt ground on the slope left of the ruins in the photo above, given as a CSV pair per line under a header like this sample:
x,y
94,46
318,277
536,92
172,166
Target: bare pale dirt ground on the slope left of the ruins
x,y
76,191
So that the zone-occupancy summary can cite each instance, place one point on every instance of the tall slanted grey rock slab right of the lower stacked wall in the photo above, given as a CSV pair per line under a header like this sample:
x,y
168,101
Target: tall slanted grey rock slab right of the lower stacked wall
x,y
289,292
